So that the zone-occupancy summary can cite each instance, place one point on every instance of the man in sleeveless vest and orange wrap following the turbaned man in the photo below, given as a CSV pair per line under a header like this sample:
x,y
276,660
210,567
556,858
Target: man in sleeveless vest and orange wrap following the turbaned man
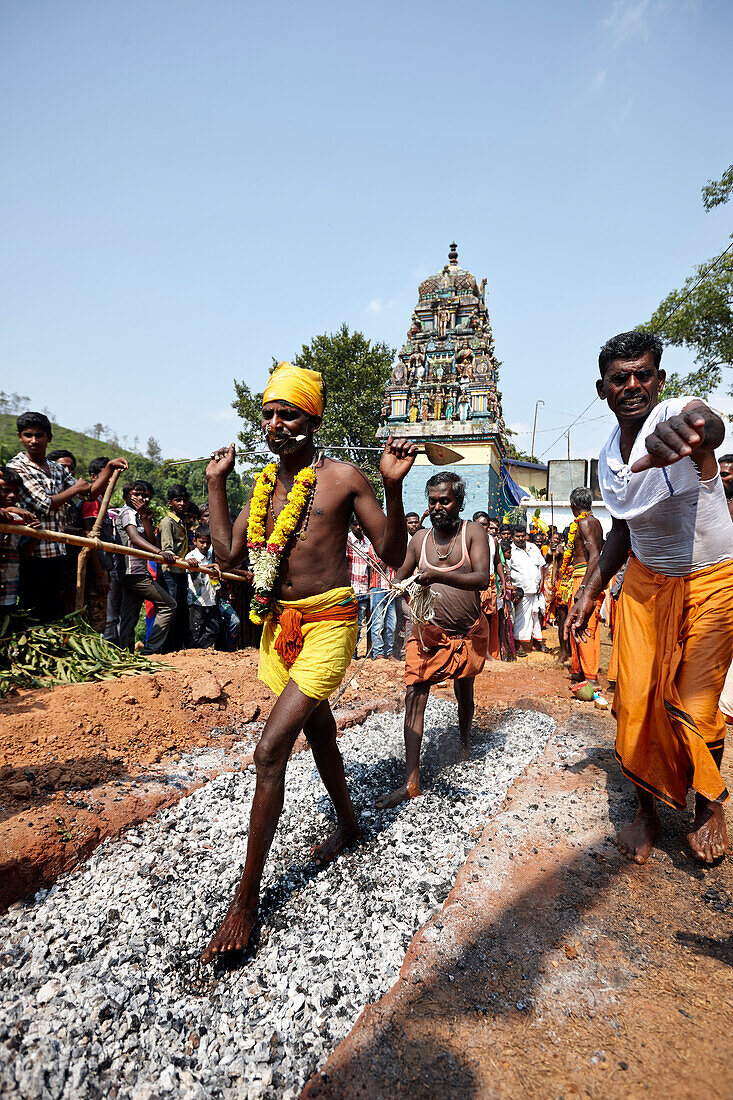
x,y
453,558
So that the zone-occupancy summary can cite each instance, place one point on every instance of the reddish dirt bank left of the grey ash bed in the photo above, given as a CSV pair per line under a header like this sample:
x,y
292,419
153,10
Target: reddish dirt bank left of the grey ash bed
x,y
81,763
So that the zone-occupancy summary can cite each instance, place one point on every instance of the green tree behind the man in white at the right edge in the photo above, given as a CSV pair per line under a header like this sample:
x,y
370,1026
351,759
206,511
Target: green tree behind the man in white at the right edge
x,y
699,316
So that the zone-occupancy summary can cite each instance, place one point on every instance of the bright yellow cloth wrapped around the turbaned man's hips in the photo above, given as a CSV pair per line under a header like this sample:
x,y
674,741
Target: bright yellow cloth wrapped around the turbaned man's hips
x,y
329,644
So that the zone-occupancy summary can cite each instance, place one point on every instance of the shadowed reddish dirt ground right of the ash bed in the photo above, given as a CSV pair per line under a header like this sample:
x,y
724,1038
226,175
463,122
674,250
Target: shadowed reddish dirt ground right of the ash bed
x,y
556,969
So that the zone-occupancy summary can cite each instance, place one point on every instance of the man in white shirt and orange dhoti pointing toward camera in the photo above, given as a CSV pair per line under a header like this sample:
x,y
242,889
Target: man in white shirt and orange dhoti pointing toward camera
x,y
660,481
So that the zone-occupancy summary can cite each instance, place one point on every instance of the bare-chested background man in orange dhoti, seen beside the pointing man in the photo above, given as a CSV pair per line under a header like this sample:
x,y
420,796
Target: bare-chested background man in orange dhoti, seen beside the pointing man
x,y
587,546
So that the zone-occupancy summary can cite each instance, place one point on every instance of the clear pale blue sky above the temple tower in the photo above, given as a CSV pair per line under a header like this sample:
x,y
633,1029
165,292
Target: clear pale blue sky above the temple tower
x,y
190,190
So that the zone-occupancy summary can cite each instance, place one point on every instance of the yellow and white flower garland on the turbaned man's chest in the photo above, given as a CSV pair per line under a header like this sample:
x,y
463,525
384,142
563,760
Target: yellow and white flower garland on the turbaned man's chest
x,y
267,555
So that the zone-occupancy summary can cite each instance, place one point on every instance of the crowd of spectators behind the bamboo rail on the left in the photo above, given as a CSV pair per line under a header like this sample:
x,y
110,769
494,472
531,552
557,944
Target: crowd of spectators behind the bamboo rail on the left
x,y
184,607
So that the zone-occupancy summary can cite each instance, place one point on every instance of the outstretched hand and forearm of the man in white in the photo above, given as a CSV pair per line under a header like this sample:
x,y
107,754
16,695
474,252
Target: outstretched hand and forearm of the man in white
x,y
697,432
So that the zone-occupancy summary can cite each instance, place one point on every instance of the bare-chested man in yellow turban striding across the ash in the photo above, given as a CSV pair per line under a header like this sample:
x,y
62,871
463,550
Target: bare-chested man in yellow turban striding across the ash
x,y
313,608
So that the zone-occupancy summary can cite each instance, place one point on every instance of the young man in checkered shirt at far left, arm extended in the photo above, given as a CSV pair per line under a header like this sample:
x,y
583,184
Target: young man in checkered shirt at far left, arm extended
x,y
47,487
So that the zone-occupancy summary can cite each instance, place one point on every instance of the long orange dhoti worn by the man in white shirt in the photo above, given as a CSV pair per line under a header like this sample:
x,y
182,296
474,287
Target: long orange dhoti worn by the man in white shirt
x,y
674,643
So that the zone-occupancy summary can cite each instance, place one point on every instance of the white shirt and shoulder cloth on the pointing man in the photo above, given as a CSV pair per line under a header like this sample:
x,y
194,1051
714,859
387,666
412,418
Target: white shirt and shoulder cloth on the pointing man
x,y
677,523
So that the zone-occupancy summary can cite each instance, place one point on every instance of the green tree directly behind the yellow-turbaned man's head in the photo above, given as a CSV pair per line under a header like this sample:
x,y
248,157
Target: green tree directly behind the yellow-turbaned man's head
x,y
356,372
